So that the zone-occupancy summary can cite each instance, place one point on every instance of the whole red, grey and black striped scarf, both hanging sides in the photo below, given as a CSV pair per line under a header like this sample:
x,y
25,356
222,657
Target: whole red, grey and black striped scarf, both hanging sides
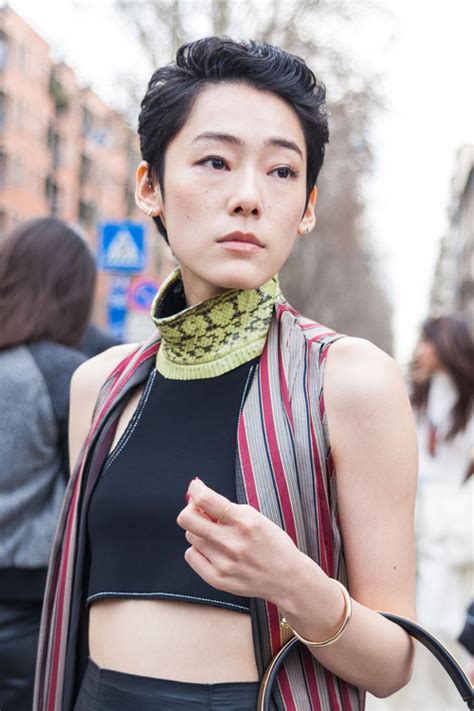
x,y
284,469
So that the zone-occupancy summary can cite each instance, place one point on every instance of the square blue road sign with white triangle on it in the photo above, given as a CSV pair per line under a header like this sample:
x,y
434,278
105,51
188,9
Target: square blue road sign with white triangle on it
x,y
121,247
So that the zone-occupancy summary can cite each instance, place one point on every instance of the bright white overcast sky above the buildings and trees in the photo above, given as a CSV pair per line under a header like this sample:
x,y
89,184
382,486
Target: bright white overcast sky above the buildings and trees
x,y
421,47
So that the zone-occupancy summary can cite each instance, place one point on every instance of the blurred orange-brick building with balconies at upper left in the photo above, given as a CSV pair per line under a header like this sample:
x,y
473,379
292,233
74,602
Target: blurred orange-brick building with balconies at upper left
x,y
63,151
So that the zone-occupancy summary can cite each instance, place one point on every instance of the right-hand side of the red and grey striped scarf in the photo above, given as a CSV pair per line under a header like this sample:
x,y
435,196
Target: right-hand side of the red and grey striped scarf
x,y
285,470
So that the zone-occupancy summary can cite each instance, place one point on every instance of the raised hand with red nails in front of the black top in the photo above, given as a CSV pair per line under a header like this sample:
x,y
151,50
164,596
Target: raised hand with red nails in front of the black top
x,y
236,548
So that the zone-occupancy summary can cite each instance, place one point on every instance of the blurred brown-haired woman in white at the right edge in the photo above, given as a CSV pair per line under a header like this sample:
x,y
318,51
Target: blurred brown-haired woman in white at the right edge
x,y
442,393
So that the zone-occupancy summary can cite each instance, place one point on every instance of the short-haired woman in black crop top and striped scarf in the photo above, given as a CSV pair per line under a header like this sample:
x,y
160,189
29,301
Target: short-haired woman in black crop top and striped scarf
x,y
224,485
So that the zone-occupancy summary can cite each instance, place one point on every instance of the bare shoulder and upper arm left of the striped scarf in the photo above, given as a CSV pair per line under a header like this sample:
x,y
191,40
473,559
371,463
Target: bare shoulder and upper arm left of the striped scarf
x,y
85,386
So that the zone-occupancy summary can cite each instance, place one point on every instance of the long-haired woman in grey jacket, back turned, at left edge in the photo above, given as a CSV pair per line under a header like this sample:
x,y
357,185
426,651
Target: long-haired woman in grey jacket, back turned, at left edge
x,y
47,277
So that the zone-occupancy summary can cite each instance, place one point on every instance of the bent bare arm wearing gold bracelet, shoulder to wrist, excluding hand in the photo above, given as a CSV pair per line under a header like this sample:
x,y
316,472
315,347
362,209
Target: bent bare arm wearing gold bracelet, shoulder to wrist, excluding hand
x,y
374,447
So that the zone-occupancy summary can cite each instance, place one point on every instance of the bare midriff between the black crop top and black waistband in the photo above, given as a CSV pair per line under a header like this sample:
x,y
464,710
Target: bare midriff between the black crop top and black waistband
x,y
172,640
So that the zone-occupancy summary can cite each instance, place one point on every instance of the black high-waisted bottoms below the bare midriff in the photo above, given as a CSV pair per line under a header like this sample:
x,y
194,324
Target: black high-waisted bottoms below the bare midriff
x,y
107,690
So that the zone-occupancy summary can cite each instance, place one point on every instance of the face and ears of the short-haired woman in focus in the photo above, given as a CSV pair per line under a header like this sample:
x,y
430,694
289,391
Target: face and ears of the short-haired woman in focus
x,y
235,190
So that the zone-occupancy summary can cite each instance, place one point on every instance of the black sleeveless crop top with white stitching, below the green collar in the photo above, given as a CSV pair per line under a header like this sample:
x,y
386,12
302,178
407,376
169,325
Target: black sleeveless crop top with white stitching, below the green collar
x,y
181,429
